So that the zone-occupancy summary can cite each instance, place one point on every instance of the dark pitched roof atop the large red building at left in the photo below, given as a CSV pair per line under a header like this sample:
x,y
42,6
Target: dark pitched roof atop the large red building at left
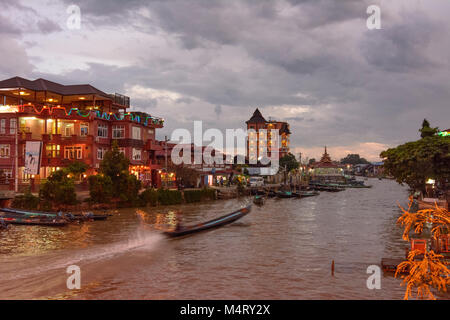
x,y
46,85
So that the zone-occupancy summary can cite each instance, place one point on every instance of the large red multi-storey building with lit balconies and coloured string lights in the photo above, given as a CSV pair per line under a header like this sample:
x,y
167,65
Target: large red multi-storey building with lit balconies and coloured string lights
x,y
74,122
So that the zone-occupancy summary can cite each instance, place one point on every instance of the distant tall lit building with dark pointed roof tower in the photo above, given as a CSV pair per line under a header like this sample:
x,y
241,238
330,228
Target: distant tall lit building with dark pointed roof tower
x,y
256,145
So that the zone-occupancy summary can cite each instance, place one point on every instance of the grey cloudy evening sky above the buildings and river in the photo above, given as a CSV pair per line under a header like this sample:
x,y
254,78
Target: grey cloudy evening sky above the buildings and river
x,y
313,63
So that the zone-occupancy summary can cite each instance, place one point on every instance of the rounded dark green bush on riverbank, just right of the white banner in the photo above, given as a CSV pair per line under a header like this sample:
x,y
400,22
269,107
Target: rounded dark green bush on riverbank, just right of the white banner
x,y
59,189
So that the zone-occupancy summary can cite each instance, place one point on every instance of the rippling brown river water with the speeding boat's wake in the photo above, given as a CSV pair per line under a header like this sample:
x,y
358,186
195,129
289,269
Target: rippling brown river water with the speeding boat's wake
x,y
282,250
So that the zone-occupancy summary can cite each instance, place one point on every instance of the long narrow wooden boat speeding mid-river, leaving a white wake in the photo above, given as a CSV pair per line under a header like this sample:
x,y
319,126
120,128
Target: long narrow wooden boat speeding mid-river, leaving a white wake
x,y
214,223
